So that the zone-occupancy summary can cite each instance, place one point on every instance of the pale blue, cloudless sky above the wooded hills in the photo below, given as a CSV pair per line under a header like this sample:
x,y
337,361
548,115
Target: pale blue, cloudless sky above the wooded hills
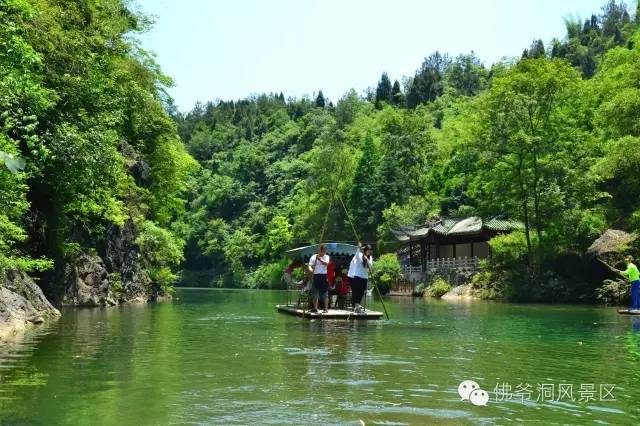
x,y
229,49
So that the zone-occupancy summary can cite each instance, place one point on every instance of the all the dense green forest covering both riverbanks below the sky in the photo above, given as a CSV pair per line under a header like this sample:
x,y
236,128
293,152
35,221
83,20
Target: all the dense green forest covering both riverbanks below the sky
x,y
99,164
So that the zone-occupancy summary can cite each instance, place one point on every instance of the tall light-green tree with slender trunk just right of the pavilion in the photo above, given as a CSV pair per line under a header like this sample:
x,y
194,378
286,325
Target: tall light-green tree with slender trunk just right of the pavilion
x,y
527,126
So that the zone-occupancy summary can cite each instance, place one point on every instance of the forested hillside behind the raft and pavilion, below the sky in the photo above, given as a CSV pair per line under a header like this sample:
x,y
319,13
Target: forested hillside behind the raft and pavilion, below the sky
x,y
549,139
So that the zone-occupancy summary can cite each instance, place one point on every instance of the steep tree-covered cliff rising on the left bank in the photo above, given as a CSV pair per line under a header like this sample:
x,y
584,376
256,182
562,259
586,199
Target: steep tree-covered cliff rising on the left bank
x,y
95,172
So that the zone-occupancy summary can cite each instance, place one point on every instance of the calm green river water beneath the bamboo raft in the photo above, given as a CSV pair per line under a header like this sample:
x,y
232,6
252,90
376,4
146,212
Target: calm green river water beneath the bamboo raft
x,y
227,357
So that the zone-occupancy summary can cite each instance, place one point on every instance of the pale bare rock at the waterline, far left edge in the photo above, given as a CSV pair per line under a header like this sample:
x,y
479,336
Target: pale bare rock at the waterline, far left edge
x,y
22,303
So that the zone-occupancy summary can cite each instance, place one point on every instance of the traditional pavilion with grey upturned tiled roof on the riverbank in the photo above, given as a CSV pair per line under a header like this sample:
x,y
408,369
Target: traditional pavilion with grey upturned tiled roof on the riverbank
x,y
448,242
